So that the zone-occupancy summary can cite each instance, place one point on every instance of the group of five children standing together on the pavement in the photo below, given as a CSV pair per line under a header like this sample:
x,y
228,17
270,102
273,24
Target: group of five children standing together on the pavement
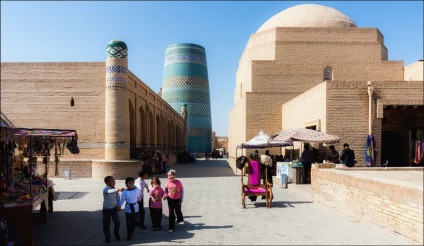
x,y
133,195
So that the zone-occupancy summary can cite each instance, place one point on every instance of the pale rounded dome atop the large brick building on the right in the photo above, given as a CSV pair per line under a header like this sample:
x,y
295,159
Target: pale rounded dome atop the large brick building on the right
x,y
308,15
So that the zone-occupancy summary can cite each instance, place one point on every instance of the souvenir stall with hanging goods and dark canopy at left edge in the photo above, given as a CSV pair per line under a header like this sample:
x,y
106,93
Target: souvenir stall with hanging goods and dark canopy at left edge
x,y
24,187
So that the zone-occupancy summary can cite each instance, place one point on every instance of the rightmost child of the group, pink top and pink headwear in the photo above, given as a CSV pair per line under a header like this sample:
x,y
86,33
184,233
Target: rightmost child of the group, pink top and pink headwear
x,y
174,193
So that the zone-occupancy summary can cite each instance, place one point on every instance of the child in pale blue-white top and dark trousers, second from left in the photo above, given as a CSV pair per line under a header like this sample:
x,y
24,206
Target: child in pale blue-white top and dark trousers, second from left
x,y
130,196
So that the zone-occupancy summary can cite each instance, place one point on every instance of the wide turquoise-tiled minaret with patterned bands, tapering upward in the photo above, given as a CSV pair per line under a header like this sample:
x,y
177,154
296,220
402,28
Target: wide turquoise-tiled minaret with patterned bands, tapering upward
x,y
185,81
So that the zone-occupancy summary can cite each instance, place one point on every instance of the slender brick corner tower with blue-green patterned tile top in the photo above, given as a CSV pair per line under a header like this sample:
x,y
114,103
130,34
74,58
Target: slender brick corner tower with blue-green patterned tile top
x,y
117,134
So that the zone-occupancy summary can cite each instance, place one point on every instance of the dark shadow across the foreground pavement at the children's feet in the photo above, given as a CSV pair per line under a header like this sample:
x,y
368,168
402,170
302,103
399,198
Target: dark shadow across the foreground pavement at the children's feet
x,y
85,228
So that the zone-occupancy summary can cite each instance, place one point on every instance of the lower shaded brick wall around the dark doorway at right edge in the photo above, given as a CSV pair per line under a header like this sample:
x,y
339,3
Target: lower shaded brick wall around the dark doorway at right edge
x,y
347,109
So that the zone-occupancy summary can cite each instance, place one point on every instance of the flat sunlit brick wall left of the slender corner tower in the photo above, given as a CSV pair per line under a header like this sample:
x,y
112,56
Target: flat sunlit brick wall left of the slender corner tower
x,y
38,95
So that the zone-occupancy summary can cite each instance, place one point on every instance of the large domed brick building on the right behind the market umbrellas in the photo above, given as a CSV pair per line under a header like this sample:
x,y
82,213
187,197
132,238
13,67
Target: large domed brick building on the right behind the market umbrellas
x,y
309,66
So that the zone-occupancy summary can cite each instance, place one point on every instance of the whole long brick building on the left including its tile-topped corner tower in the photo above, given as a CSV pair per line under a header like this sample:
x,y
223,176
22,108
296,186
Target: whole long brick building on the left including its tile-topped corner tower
x,y
113,112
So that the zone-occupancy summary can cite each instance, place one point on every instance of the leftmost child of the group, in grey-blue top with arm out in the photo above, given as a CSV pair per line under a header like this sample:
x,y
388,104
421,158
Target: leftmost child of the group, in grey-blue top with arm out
x,y
111,209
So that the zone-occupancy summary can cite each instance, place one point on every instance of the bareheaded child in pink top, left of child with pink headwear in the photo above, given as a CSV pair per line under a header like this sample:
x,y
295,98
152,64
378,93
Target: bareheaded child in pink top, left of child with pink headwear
x,y
156,194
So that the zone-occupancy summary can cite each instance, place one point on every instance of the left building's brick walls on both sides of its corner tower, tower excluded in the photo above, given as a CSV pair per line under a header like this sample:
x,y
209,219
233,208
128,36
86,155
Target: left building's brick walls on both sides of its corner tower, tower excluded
x,y
38,95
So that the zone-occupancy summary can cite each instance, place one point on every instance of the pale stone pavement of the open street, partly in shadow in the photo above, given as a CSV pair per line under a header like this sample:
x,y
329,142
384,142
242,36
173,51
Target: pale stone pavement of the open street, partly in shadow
x,y
213,215
